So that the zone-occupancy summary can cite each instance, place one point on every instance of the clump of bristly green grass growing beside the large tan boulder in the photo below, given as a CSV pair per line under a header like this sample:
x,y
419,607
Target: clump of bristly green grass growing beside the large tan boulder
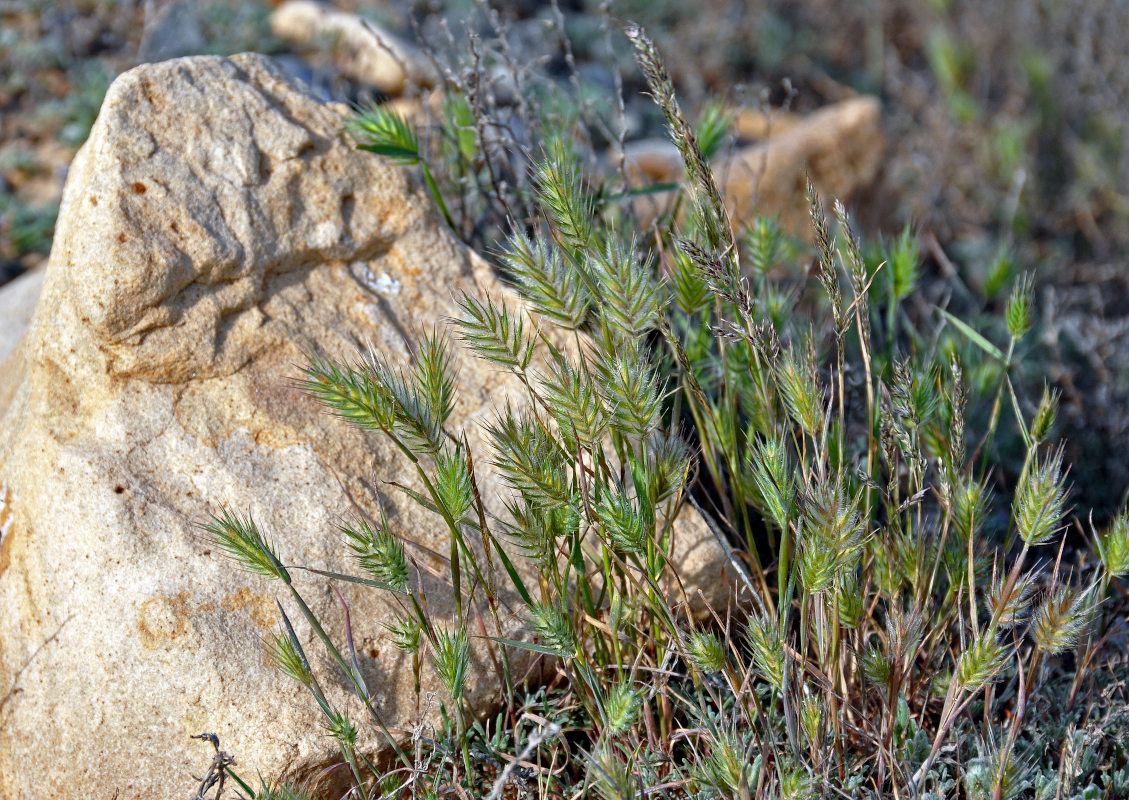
x,y
898,614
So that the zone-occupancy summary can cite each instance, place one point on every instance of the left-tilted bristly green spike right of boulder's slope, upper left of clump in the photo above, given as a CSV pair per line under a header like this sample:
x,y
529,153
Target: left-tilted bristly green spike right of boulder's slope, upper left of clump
x,y
555,289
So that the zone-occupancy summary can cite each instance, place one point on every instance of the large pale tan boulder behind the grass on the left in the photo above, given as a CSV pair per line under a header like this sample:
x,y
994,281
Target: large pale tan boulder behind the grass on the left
x,y
215,230
